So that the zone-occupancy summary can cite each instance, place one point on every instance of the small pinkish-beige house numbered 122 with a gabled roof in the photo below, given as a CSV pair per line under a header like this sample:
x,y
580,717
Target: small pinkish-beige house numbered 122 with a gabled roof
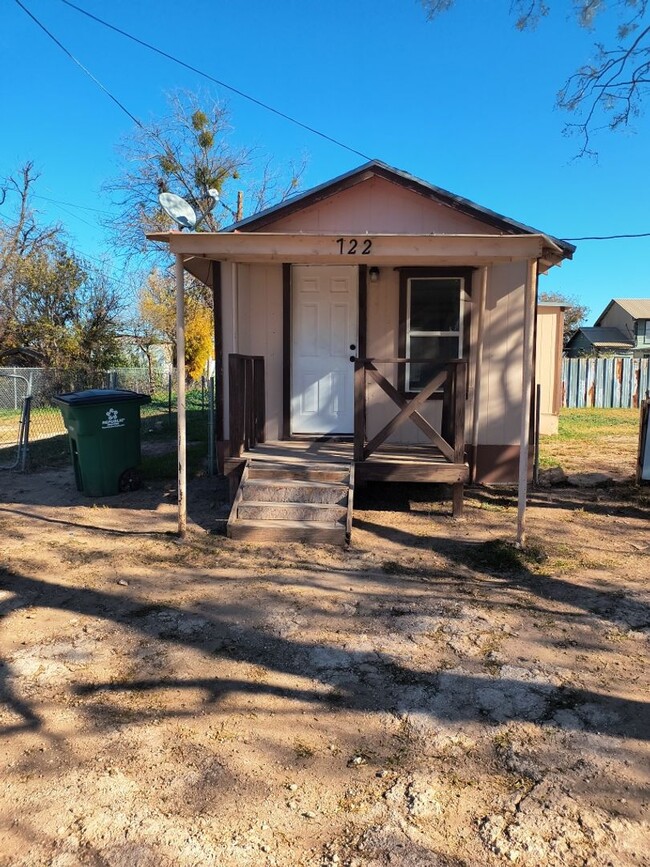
x,y
383,309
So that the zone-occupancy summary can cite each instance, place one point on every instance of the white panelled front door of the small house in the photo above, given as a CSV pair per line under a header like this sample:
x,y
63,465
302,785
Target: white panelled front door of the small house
x,y
324,327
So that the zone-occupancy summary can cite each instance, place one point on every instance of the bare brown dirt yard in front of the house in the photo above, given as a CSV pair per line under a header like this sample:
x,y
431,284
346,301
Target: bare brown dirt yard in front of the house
x,y
430,696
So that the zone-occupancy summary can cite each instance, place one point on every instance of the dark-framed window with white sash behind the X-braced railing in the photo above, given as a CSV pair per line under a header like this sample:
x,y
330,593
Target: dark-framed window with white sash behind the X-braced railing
x,y
433,322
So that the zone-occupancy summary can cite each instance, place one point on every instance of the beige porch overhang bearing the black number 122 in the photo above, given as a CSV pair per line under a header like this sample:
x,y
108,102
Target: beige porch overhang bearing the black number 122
x,y
199,248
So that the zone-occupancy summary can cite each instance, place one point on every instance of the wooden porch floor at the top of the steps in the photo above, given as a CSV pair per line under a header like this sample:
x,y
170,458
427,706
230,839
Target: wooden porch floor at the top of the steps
x,y
389,463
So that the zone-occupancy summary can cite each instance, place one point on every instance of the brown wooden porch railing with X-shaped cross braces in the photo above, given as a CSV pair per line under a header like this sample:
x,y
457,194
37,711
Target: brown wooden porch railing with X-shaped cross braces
x,y
450,440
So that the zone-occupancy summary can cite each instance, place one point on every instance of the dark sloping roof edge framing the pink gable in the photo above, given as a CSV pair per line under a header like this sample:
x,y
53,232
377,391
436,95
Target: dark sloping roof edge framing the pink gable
x,y
380,169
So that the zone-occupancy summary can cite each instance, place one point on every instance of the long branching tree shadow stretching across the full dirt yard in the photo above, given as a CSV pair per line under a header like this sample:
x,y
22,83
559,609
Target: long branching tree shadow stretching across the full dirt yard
x,y
355,680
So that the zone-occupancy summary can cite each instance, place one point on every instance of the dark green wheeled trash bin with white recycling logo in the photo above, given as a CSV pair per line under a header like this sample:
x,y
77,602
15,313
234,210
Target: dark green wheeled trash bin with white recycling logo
x,y
104,430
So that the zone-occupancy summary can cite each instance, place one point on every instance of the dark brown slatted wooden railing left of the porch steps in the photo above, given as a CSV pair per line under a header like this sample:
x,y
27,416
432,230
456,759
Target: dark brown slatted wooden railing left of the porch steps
x,y
247,402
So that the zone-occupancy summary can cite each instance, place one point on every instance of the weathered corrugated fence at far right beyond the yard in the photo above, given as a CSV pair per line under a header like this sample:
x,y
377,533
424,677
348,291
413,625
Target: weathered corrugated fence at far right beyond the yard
x,y
618,381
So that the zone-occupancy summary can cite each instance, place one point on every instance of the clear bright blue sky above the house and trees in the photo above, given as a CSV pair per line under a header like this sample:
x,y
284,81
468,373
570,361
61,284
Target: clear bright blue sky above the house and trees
x,y
466,102
